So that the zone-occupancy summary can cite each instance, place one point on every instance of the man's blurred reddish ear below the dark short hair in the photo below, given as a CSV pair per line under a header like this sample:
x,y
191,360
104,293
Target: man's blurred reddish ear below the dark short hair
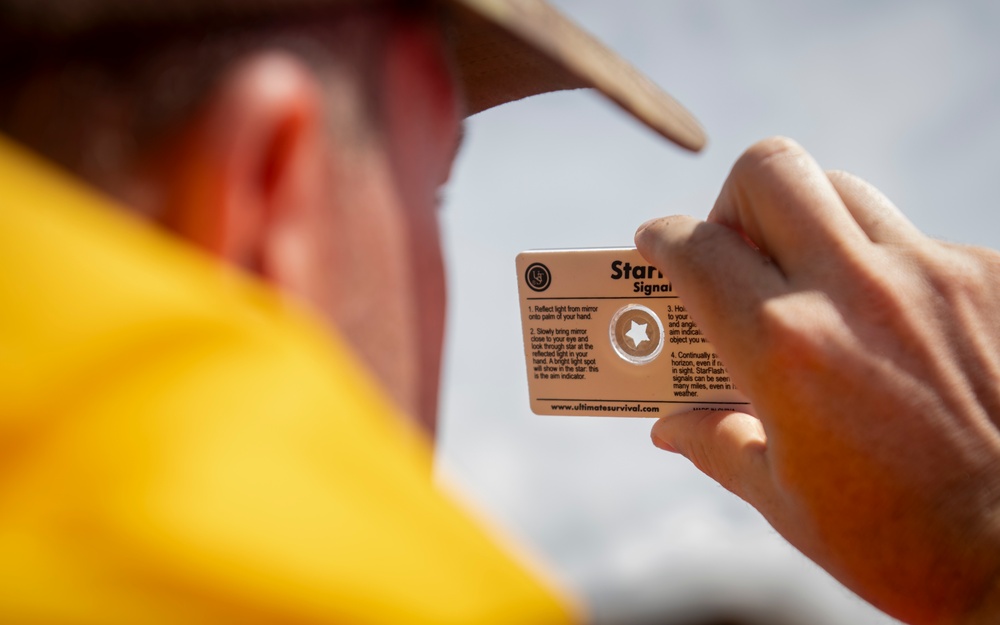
x,y
248,171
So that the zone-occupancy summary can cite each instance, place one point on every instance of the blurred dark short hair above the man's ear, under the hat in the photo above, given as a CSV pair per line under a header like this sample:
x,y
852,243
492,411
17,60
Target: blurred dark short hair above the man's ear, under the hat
x,y
112,92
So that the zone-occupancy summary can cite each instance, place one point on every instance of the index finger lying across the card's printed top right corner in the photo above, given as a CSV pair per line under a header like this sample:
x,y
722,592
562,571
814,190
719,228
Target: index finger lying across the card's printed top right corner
x,y
722,281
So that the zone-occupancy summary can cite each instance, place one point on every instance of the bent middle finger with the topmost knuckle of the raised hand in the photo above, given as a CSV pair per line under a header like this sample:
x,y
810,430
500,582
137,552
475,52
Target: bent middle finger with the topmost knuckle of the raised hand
x,y
784,203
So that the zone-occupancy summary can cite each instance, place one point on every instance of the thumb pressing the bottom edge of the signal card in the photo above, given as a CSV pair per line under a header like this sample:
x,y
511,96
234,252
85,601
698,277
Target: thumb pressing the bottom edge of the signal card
x,y
729,447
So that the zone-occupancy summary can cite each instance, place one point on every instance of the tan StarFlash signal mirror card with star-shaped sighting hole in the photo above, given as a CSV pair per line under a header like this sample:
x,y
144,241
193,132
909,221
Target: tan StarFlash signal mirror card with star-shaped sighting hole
x,y
605,335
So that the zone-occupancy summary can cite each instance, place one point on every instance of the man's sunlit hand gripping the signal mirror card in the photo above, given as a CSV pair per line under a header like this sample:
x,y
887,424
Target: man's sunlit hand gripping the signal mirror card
x,y
872,356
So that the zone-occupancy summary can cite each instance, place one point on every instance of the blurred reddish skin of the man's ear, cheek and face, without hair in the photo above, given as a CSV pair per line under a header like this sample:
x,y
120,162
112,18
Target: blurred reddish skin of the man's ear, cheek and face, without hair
x,y
257,179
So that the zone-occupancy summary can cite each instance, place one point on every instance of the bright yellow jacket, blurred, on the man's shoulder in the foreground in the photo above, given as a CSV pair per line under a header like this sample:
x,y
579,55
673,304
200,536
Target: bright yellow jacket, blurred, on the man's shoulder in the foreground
x,y
180,445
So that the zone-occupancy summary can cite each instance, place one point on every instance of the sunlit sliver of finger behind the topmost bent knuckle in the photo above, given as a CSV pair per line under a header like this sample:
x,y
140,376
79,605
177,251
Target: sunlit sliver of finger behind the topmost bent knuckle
x,y
878,217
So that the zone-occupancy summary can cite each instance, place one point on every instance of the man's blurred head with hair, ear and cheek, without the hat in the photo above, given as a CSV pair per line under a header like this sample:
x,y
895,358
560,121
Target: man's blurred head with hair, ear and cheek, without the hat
x,y
306,150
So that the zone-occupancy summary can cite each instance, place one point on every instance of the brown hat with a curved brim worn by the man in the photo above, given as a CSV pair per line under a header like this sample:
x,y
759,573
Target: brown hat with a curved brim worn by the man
x,y
506,49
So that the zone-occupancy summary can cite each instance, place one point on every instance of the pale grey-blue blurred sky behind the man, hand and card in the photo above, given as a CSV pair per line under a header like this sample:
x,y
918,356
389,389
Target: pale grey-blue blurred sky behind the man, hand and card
x,y
904,93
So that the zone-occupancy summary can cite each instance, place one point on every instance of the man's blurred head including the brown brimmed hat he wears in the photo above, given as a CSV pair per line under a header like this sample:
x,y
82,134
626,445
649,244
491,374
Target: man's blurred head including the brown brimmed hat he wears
x,y
303,140
